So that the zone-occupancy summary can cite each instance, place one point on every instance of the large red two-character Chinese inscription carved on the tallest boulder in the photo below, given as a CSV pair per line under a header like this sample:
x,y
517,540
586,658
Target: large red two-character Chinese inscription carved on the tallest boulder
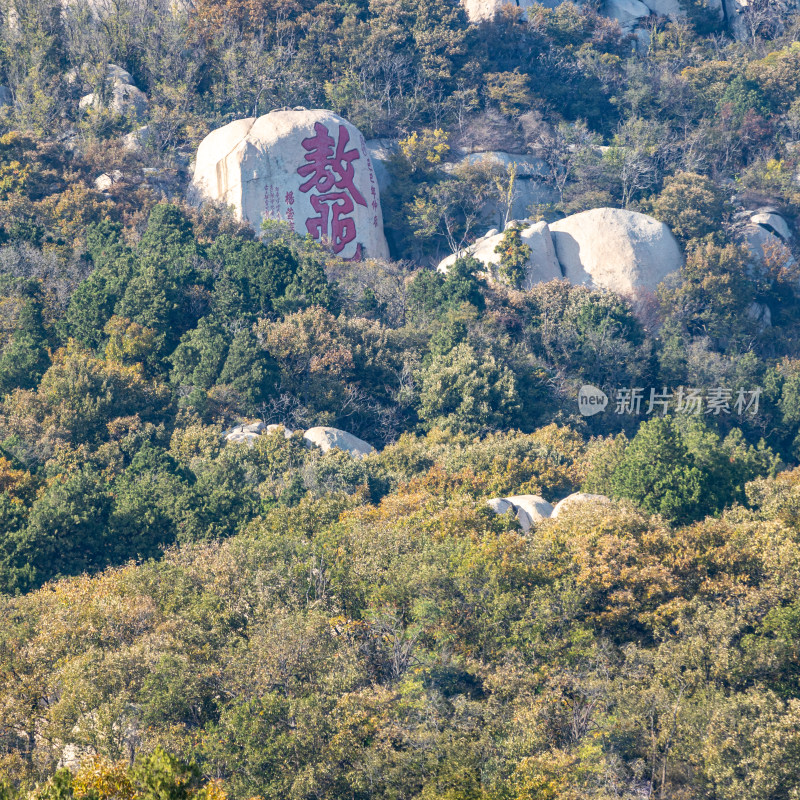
x,y
329,167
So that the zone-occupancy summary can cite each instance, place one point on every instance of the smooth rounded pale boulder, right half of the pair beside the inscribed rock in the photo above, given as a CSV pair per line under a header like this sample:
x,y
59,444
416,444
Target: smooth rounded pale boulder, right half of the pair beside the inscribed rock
x,y
611,248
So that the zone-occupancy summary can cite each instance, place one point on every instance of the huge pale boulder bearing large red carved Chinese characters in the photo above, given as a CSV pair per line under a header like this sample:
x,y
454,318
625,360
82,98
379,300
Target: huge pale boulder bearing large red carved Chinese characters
x,y
308,168
